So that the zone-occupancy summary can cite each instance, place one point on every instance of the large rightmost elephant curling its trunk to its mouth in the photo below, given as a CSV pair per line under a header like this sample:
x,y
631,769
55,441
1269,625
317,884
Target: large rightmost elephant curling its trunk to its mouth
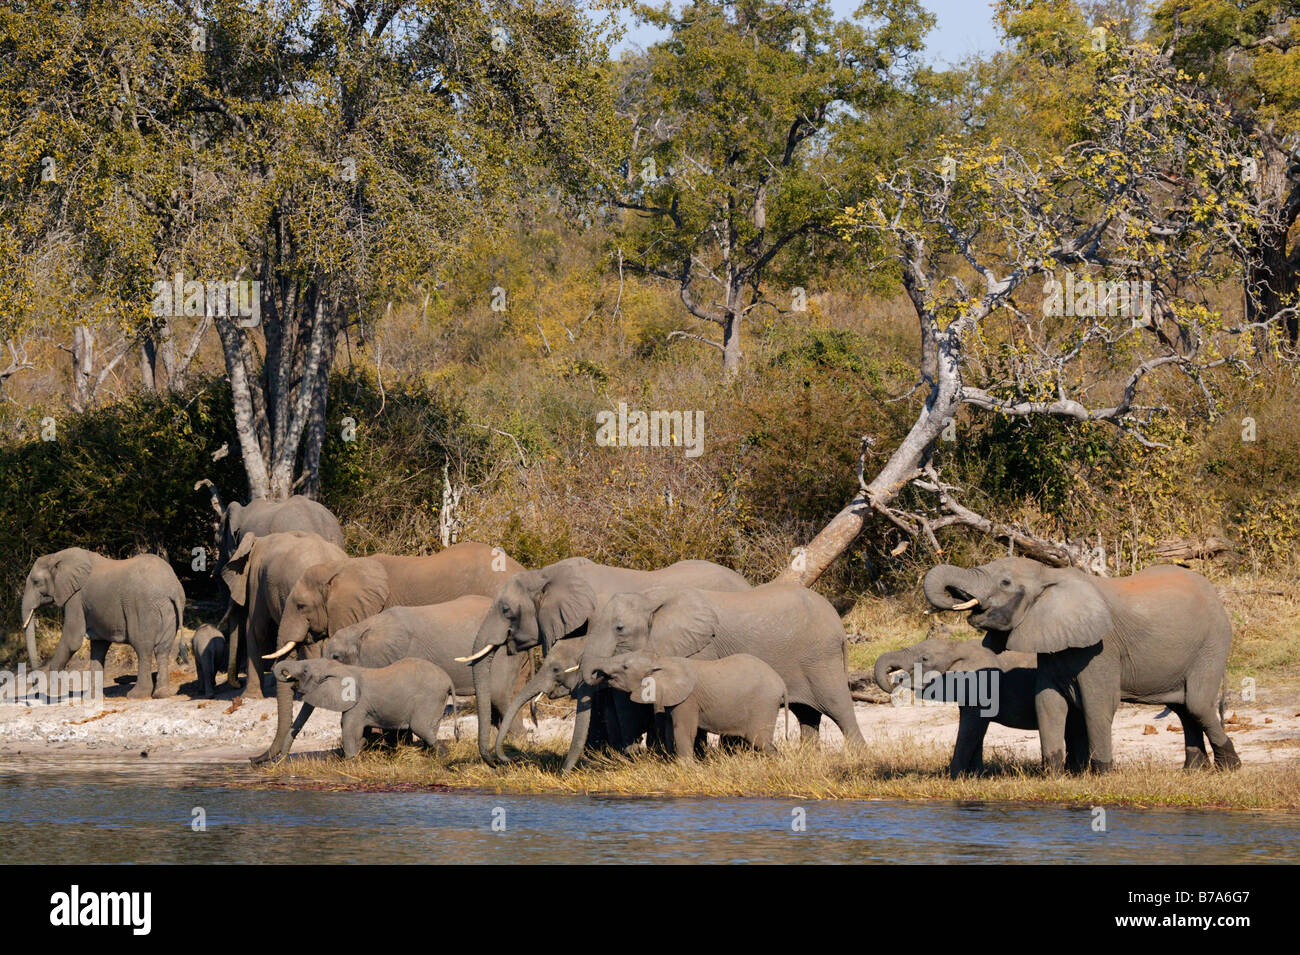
x,y
1159,637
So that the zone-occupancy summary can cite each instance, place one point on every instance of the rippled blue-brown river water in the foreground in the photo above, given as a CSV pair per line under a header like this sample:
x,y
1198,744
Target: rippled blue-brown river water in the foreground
x,y
129,813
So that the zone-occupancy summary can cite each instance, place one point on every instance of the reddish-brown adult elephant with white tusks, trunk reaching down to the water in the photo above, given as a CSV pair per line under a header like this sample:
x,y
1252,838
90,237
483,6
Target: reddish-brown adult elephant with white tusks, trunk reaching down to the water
x,y
337,594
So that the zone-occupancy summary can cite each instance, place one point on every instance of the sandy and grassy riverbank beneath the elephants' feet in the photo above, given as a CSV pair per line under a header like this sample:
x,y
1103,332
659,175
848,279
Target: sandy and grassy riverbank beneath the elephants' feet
x,y
907,758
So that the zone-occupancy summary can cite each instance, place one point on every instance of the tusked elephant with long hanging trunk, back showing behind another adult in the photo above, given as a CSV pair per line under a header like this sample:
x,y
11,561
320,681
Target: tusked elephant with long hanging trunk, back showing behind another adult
x,y
543,607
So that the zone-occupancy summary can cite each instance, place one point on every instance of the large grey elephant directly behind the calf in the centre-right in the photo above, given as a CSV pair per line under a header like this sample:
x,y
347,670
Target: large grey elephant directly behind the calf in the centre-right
x,y
791,628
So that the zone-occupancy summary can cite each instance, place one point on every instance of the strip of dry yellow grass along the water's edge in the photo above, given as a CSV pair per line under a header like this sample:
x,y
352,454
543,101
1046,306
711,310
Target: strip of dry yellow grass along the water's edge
x,y
894,771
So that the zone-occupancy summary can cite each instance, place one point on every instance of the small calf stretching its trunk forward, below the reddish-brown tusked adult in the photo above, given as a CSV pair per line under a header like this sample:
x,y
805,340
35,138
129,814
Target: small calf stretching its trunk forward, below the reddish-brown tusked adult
x,y
409,694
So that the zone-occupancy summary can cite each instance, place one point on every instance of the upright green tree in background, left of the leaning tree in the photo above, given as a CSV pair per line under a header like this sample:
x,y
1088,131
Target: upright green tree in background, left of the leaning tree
x,y
730,119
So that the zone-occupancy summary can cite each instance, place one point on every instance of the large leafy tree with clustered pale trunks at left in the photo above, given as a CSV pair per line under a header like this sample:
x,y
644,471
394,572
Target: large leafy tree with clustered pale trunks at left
x,y
281,170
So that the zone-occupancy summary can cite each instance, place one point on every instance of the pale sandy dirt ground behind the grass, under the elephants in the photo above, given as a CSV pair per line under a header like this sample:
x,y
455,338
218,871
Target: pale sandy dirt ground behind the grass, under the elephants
x,y
226,730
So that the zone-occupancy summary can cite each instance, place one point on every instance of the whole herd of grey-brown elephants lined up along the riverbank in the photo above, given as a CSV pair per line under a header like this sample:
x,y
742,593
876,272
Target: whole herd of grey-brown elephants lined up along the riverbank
x,y
665,656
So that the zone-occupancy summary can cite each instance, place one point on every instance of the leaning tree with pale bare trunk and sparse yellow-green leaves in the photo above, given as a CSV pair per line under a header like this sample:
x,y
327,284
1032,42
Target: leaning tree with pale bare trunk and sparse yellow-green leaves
x,y
1152,207
